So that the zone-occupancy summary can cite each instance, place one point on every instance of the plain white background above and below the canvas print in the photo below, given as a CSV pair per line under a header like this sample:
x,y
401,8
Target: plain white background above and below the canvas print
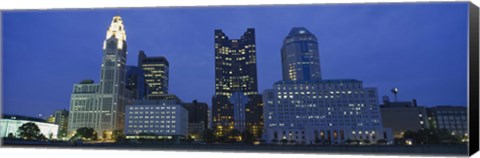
x,y
49,152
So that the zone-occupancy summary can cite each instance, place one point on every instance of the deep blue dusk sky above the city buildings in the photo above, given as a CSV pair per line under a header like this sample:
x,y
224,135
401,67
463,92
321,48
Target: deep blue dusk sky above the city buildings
x,y
421,48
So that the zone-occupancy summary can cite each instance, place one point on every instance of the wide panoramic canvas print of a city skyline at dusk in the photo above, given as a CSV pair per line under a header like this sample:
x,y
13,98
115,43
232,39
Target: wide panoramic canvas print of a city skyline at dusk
x,y
377,78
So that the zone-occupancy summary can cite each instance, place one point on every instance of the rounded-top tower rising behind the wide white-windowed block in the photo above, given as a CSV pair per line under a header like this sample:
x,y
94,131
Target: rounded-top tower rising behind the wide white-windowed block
x,y
300,57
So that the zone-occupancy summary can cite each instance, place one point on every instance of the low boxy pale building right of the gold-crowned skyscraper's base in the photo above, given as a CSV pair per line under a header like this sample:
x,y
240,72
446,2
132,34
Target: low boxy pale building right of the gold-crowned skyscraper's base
x,y
156,119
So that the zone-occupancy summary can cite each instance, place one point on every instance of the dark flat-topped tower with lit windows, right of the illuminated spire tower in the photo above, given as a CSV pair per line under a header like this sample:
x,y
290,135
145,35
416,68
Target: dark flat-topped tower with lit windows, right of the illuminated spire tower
x,y
156,73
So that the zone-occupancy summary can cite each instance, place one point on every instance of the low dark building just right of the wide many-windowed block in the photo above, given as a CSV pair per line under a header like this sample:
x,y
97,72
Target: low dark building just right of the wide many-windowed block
x,y
403,116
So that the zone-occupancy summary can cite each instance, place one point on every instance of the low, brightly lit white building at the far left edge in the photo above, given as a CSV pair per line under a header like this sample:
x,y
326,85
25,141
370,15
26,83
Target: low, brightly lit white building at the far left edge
x,y
9,125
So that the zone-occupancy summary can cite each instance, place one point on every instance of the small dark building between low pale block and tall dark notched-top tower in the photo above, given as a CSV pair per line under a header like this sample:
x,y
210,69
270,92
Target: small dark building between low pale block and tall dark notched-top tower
x,y
197,118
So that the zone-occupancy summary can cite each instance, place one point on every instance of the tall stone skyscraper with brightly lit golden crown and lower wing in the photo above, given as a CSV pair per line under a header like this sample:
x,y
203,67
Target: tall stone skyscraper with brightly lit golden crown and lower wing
x,y
103,107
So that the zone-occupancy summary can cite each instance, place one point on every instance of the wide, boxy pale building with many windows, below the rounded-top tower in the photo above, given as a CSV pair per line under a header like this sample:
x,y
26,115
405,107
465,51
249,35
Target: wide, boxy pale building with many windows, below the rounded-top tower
x,y
322,111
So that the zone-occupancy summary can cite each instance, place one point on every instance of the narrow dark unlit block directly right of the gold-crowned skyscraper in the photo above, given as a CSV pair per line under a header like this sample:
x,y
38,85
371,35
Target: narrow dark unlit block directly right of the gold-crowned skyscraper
x,y
136,82
